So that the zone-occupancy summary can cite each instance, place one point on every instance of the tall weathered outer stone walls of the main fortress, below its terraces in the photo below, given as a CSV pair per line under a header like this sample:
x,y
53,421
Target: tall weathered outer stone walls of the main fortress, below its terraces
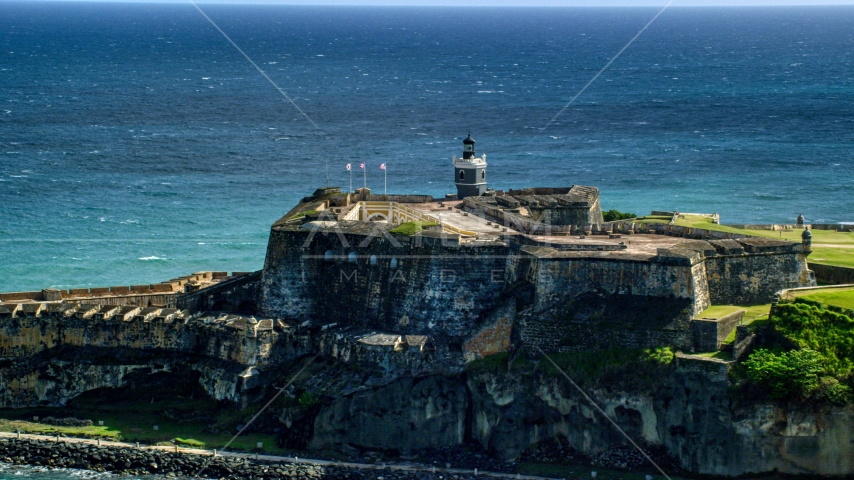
x,y
448,286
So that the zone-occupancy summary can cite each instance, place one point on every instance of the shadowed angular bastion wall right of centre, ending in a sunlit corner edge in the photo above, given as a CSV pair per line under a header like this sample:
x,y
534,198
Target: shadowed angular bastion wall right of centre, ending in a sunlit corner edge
x,y
597,303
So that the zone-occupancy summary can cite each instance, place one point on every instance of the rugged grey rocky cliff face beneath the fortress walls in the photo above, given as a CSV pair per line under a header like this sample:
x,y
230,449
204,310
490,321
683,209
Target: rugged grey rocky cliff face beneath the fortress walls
x,y
688,414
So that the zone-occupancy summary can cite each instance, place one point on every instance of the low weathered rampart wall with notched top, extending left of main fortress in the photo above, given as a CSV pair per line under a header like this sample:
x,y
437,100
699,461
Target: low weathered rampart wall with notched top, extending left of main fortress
x,y
60,350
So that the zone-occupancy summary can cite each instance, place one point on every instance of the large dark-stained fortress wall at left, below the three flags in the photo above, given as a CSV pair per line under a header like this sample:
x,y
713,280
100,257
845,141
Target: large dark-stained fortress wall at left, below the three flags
x,y
435,289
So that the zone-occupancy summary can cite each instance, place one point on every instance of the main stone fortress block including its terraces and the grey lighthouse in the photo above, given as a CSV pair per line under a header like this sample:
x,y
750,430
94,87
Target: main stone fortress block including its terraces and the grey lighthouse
x,y
521,268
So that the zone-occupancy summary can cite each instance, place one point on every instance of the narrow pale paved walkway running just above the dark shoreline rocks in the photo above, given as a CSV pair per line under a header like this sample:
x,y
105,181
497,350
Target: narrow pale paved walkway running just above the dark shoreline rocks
x,y
272,458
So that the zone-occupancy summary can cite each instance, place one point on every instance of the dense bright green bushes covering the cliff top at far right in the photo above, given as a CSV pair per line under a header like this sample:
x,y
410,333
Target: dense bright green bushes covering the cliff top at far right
x,y
807,356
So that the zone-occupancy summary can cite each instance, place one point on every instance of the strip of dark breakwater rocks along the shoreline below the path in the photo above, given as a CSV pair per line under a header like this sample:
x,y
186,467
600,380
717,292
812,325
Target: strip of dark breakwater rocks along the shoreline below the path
x,y
133,461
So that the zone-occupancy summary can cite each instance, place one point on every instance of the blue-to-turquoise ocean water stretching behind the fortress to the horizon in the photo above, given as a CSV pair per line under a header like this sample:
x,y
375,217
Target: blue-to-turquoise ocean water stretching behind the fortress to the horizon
x,y
137,145
